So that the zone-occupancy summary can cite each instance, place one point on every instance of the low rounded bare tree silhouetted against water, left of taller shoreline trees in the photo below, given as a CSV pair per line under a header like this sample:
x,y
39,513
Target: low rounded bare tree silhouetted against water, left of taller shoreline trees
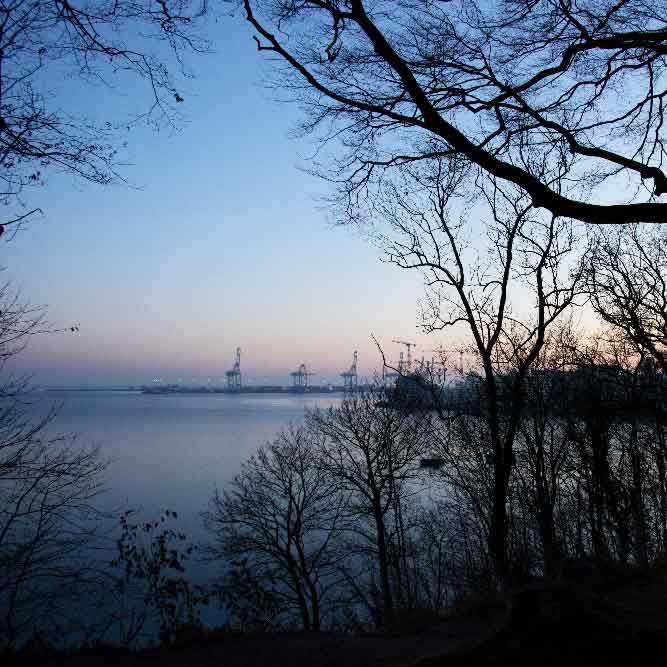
x,y
280,517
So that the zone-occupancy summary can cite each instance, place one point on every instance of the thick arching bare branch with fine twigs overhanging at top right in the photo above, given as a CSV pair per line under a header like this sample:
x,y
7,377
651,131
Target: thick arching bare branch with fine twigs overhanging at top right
x,y
523,92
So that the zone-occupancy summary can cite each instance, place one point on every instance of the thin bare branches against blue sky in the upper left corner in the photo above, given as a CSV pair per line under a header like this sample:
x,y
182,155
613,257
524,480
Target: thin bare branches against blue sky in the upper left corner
x,y
99,42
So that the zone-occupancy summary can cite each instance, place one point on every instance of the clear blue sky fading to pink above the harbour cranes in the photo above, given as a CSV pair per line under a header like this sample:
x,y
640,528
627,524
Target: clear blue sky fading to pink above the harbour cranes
x,y
221,241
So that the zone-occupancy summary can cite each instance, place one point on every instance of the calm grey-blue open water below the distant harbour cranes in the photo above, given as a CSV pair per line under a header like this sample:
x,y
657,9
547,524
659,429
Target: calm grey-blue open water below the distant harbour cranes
x,y
170,452
